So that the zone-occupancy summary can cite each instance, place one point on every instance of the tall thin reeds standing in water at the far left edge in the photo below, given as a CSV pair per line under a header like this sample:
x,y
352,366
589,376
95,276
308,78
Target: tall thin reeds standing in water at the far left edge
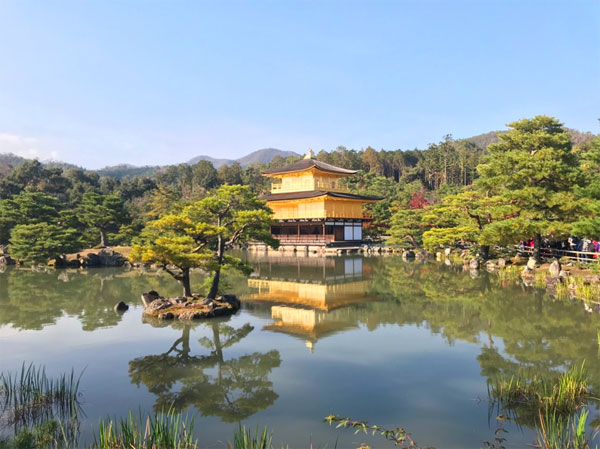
x,y
30,396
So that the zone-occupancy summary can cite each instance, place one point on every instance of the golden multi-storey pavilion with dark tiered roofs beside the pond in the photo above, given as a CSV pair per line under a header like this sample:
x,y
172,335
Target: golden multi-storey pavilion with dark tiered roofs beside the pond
x,y
312,207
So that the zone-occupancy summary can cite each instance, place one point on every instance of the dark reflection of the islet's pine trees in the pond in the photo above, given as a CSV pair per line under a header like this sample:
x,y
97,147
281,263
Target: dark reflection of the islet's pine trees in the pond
x,y
230,388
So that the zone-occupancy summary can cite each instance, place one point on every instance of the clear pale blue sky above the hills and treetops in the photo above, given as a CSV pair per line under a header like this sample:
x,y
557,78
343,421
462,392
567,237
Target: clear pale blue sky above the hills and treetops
x,y
155,82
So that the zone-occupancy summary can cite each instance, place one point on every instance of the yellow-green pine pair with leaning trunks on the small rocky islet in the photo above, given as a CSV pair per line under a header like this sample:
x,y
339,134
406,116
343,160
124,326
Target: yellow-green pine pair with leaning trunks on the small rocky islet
x,y
202,232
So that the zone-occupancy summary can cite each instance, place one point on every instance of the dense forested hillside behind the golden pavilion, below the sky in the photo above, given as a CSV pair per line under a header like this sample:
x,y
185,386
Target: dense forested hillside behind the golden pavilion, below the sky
x,y
47,209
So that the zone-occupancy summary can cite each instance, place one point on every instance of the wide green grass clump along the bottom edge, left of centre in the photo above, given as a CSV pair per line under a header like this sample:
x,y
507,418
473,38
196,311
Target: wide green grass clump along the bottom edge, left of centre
x,y
167,430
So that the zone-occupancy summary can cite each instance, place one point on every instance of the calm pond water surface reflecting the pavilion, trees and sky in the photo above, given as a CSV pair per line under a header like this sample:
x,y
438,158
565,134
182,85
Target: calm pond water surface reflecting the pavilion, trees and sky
x,y
395,343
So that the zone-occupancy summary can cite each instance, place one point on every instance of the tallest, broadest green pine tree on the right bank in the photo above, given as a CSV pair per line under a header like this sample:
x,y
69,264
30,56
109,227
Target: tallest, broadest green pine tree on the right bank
x,y
533,167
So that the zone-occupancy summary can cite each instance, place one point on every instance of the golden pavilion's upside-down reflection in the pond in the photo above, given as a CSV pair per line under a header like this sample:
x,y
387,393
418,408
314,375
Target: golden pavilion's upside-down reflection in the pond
x,y
309,296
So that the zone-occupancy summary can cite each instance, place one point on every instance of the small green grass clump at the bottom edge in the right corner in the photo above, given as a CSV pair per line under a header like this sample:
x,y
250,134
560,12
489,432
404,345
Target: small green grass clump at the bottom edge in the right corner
x,y
556,431
